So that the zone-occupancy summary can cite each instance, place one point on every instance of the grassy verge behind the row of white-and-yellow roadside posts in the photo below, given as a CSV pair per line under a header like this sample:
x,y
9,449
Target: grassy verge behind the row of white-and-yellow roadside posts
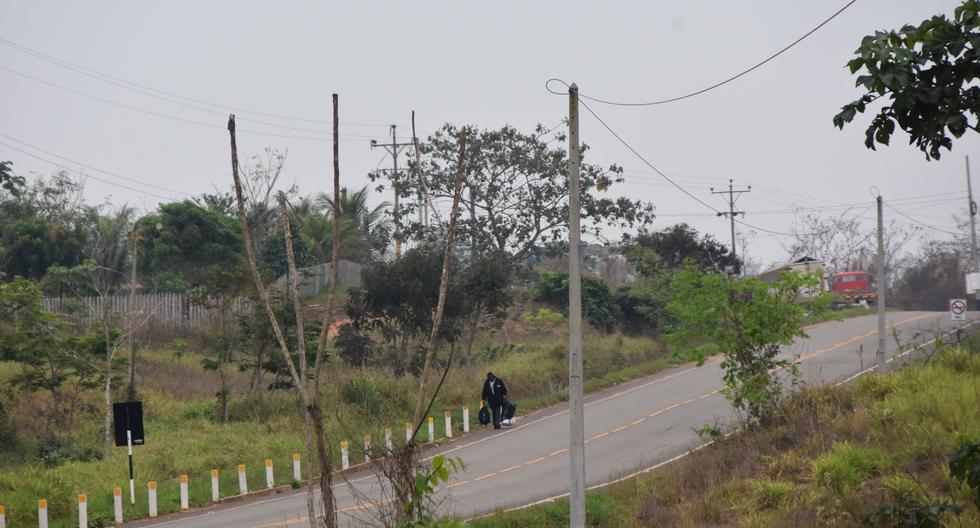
x,y
183,436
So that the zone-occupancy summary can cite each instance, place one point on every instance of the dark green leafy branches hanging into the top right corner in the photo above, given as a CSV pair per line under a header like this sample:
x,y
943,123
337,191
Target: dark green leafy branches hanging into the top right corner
x,y
928,73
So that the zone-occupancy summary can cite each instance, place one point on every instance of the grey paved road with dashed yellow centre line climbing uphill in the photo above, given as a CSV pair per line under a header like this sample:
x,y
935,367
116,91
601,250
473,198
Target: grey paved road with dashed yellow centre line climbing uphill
x,y
629,428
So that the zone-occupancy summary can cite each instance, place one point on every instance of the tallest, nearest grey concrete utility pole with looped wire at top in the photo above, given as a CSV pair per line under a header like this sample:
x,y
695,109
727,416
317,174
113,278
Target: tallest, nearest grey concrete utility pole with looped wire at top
x,y
576,417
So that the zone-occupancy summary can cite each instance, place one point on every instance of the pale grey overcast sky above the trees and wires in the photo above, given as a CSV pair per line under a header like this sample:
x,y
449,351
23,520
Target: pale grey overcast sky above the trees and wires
x,y
481,63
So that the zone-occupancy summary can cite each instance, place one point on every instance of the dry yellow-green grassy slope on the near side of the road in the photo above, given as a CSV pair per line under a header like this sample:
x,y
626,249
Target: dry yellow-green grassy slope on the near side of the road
x,y
832,456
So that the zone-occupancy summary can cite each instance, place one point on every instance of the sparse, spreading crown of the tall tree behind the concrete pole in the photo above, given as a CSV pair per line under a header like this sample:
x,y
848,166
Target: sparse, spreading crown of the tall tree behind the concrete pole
x,y
515,192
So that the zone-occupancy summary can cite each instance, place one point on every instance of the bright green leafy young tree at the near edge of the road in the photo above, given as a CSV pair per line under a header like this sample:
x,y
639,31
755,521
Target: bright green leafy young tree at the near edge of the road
x,y
748,320
